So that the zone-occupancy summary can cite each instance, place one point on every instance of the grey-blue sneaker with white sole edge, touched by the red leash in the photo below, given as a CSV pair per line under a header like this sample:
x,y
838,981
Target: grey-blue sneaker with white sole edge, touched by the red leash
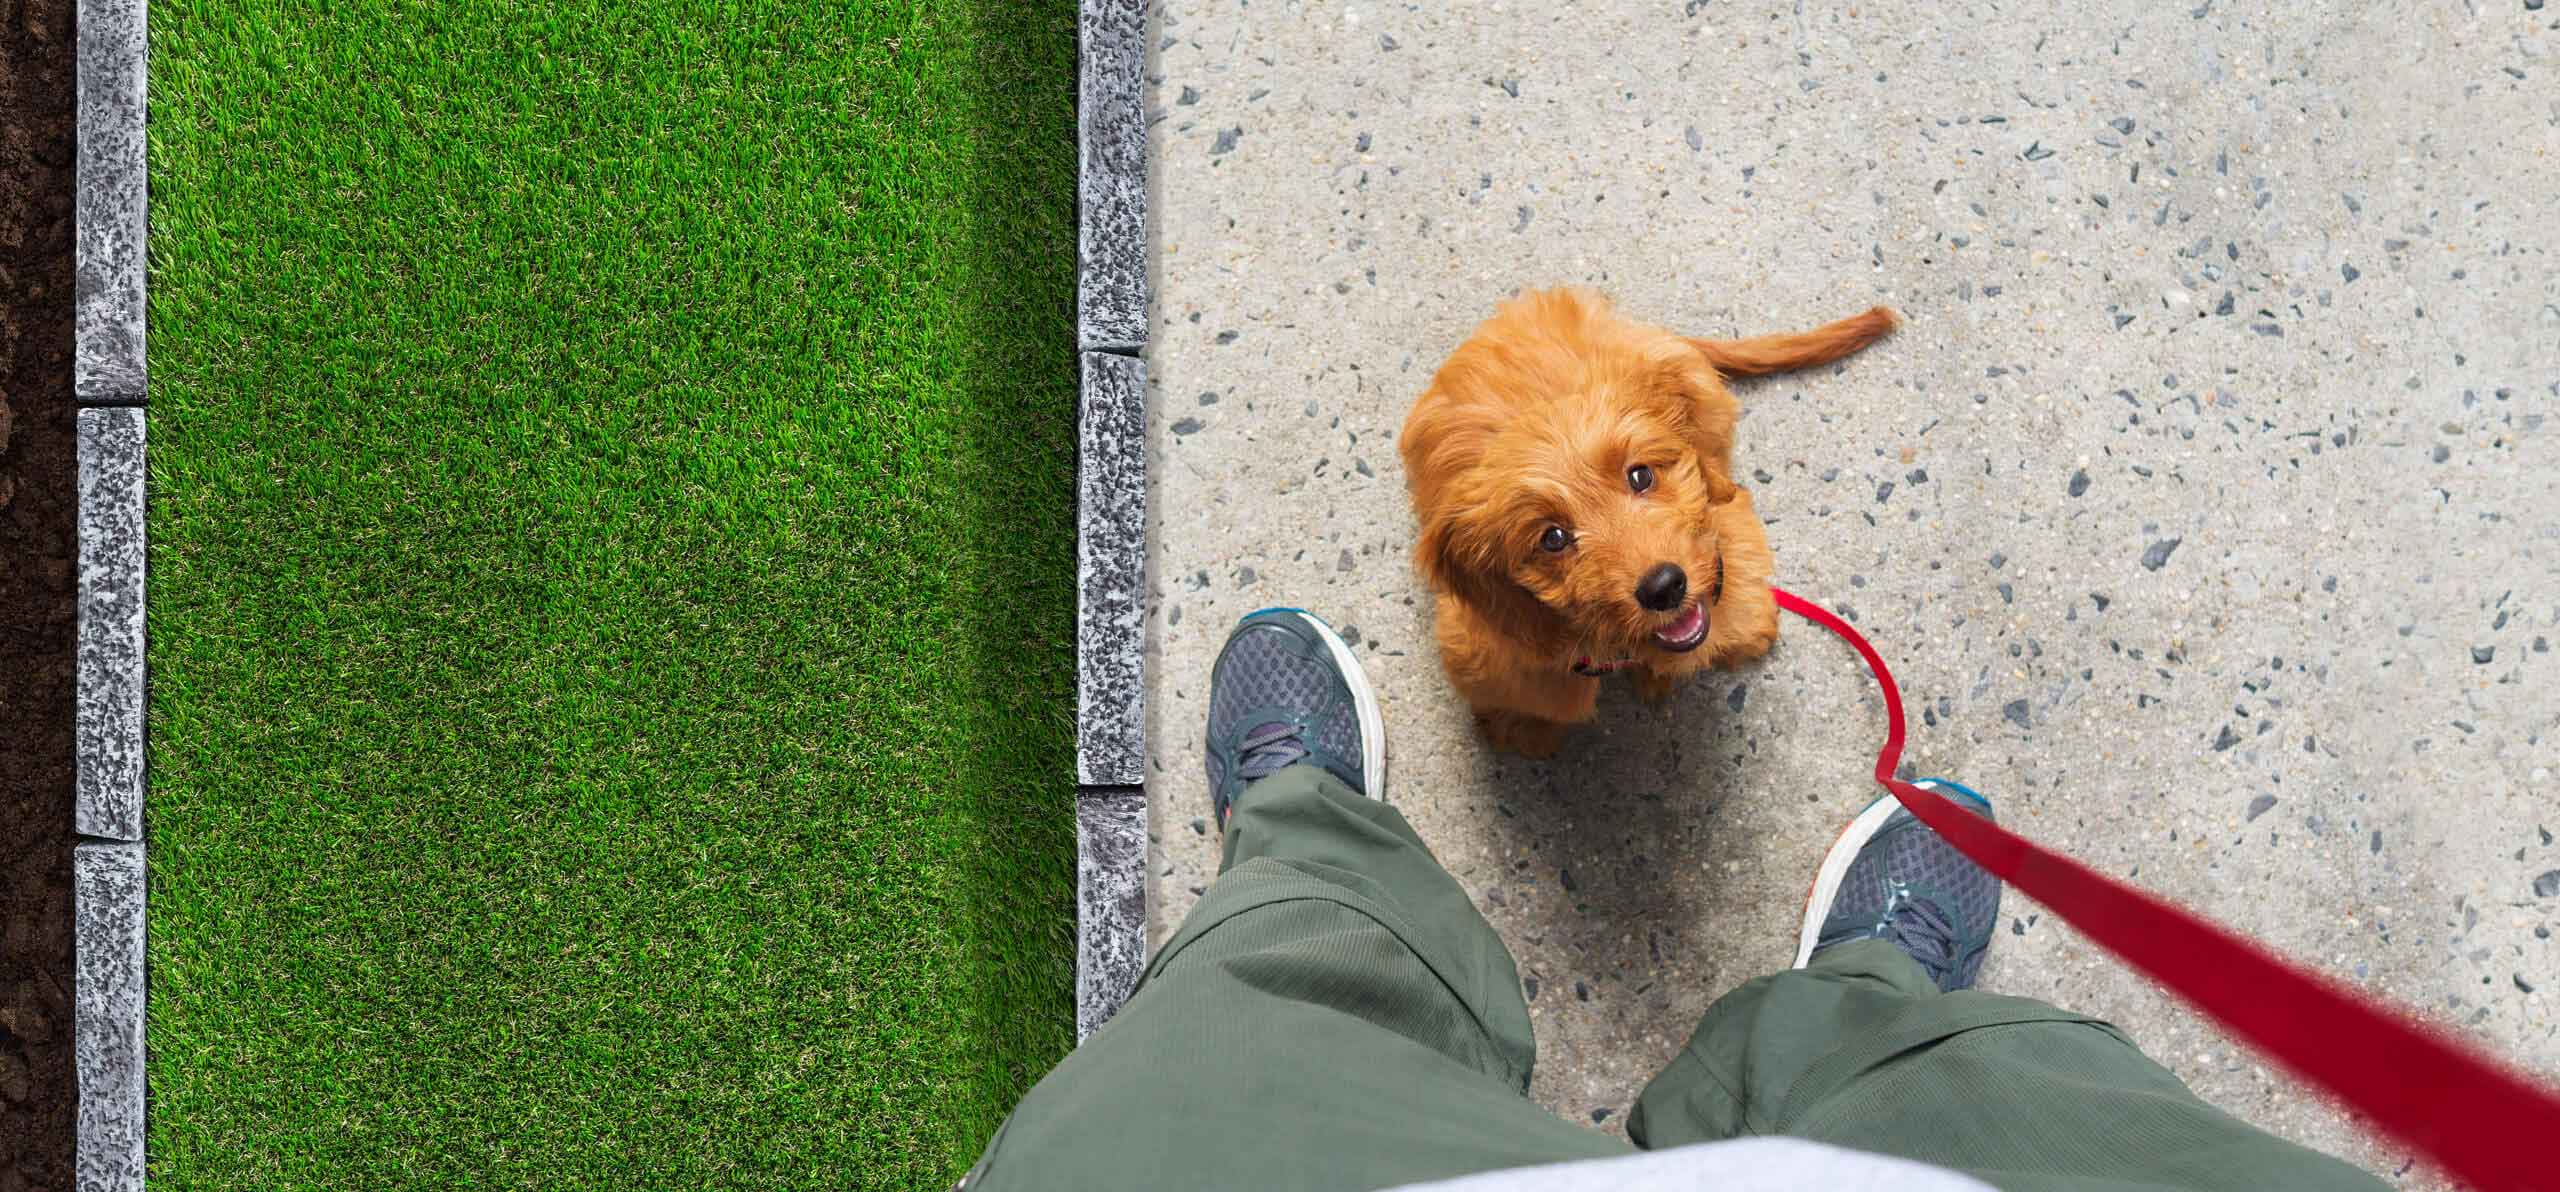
x,y
1893,879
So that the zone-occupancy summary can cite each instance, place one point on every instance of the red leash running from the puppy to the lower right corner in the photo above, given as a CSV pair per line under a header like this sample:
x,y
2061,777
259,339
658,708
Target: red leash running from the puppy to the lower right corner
x,y
2484,1124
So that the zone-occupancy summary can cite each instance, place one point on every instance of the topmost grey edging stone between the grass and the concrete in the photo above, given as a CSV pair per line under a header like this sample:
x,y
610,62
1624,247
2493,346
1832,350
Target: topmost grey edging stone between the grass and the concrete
x,y
1112,152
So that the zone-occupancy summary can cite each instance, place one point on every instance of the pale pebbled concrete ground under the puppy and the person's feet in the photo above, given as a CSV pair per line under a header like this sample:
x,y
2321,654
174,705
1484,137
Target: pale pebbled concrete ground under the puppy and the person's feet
x,y
2208,505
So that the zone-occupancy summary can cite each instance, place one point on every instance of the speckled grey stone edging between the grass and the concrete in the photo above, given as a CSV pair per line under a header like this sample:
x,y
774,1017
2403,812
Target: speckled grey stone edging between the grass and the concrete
x,y
1110,508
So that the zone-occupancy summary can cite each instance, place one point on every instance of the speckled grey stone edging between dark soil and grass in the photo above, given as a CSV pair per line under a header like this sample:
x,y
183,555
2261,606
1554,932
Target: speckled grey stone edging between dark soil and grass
x,y
109,382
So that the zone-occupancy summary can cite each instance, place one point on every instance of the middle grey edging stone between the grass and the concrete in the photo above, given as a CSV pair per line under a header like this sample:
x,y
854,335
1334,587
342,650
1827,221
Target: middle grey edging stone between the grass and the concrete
x,y
1112,572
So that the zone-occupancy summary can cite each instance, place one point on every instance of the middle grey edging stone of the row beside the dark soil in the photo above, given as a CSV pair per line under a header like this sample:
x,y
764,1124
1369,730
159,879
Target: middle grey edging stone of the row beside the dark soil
x,y
109,679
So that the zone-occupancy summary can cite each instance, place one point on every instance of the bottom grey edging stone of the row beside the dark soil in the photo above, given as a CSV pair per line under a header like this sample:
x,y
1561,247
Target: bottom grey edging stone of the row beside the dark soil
x,y
109,1014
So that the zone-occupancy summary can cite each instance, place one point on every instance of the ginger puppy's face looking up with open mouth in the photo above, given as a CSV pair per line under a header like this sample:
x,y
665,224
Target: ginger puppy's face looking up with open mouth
x,y
1588,521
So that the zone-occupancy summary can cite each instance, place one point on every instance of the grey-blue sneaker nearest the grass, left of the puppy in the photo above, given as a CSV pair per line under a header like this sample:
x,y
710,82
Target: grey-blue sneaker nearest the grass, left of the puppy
x,y
1284,692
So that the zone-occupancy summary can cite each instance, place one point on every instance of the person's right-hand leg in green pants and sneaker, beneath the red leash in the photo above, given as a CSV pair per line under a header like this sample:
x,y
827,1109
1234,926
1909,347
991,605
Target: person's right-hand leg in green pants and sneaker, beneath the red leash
x,y
1880,1045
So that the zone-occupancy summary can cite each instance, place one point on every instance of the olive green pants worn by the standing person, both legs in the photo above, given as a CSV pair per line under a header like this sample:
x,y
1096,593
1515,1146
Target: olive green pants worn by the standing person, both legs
x,y
1335,1014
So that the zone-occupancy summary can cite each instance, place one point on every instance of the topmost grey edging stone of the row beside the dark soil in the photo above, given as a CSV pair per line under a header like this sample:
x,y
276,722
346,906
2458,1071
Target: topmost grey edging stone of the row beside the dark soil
x,y
111,203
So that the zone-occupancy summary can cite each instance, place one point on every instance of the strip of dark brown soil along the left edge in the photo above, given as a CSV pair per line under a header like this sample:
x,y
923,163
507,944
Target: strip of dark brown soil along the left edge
x,y
37,526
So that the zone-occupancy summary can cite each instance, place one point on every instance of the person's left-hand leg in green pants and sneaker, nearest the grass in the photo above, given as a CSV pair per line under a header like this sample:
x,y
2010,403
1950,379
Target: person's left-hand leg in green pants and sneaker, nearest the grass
x,y
1335,1014
